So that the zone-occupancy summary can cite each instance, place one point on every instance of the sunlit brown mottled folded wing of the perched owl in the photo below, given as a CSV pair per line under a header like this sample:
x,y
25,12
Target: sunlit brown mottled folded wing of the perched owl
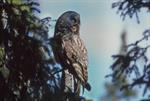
x,y
76,58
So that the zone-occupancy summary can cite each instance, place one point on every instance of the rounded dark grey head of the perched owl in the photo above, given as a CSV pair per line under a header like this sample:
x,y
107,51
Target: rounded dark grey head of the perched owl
x,y
68,22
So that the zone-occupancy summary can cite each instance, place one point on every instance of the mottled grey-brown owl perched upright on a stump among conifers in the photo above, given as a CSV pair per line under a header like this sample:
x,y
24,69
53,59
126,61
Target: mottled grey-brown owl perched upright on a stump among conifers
x,y
70,50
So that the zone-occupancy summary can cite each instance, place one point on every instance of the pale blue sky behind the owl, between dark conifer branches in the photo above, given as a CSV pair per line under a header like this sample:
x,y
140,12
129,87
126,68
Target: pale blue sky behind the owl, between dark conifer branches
x,y
100,29
